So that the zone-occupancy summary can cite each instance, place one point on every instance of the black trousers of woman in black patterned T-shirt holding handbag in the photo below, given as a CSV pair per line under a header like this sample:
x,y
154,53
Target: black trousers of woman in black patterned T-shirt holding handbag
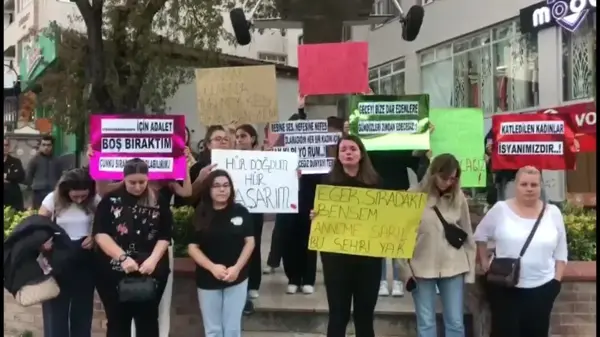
x,y
119,315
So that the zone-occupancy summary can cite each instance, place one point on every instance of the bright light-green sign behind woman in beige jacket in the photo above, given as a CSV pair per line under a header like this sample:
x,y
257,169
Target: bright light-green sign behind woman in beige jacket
x,y
459,131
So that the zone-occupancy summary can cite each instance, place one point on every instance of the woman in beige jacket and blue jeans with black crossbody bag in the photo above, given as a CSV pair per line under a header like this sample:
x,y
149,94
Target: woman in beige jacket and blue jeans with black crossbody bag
x,y
444,254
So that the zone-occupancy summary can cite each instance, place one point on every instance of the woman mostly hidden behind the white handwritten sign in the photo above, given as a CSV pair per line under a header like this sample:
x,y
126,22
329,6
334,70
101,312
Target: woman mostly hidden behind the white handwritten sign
x,y
246,138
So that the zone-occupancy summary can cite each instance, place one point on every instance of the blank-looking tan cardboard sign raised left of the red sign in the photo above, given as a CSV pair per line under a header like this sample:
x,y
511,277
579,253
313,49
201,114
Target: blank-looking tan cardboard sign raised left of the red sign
x,y
243,94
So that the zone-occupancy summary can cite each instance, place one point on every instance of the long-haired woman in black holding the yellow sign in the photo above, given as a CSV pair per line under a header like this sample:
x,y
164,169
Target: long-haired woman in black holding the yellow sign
x,y
350,278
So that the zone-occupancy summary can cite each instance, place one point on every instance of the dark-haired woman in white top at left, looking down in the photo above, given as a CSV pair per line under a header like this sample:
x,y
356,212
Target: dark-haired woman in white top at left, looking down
x,y
71,205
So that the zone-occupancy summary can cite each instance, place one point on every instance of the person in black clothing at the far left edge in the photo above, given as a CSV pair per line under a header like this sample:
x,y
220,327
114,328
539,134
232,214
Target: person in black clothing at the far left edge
x,y
13,176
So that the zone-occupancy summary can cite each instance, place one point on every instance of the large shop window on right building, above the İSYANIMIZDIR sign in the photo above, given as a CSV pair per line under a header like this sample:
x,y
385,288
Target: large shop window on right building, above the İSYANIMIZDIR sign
x,y
495,69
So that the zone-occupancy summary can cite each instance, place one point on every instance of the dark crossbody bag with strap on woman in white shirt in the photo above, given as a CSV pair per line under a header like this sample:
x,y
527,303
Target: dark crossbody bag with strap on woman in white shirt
x,y
505,271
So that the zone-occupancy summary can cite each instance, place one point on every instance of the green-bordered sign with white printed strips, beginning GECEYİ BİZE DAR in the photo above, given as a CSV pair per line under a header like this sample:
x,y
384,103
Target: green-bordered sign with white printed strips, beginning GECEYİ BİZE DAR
x,y
390,122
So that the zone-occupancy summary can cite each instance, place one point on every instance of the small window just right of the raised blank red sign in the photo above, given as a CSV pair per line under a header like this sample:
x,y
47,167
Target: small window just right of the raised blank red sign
x,y
388,78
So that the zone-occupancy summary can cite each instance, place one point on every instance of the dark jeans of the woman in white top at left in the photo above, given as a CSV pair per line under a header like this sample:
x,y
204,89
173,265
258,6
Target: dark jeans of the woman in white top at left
x,y
70,314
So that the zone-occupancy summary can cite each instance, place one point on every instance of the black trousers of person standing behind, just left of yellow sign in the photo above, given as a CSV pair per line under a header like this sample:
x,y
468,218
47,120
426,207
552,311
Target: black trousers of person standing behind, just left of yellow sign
x,y
299,263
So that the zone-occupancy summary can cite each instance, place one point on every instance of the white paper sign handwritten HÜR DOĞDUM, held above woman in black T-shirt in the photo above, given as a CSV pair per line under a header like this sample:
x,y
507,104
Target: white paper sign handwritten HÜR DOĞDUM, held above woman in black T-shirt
x,y
264,181
